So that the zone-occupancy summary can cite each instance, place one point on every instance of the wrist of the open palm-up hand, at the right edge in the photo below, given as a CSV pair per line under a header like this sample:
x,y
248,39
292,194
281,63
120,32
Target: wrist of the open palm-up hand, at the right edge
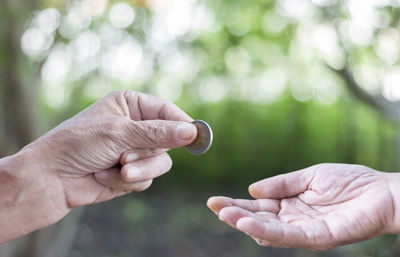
x,y
394,187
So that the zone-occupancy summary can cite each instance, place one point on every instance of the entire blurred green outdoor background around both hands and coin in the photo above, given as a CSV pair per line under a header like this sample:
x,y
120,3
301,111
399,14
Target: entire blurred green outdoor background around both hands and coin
x,y
284,84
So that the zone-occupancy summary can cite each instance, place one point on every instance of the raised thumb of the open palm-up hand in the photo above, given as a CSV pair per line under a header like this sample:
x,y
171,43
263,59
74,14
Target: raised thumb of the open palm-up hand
x,y
282,186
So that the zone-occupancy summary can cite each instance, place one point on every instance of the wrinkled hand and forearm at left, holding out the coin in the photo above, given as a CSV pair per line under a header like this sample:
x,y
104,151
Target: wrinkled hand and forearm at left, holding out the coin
x,y
115,146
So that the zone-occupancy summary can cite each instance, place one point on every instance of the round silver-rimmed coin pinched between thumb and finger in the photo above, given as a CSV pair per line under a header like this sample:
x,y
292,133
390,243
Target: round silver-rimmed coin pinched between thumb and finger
x,y
204,138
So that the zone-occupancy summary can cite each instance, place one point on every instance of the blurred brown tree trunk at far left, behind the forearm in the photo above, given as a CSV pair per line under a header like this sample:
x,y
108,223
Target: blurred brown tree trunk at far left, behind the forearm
x,y
20,125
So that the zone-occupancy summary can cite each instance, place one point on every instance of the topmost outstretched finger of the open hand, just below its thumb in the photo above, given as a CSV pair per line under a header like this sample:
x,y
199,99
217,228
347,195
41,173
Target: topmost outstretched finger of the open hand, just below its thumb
x,y
260,205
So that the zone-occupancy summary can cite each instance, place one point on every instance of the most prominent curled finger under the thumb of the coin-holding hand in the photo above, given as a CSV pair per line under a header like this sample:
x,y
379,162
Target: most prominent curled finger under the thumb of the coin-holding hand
x,y
146,169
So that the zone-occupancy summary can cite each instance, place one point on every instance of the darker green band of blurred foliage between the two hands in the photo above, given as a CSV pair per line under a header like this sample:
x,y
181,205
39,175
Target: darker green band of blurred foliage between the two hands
x,y
257,141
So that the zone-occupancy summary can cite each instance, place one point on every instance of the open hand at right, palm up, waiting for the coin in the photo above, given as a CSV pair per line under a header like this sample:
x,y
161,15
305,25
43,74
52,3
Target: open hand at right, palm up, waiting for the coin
x,y
318,208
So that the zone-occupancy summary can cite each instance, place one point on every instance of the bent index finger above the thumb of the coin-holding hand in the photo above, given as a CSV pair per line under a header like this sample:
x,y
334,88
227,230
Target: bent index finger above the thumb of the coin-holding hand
x,y
153,107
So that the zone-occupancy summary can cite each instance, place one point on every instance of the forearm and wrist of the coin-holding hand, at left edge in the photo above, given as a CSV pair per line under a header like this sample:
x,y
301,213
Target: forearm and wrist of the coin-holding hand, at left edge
x,y
27,201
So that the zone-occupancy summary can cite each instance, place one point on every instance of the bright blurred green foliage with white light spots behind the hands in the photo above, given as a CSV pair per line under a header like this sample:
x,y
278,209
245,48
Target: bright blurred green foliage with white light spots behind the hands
x,y
256,71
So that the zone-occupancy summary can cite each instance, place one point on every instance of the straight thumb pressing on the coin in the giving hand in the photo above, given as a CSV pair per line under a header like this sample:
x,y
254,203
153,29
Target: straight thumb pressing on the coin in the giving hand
x,y
161,134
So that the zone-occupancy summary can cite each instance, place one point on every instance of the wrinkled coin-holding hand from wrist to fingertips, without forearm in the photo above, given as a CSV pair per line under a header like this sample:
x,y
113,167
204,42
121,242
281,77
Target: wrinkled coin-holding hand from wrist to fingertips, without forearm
x,y
116,146
